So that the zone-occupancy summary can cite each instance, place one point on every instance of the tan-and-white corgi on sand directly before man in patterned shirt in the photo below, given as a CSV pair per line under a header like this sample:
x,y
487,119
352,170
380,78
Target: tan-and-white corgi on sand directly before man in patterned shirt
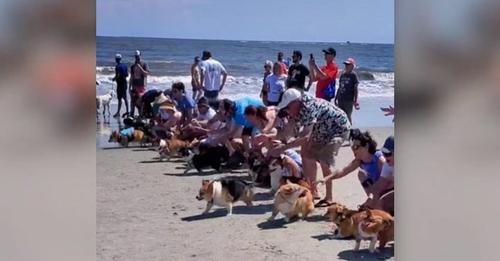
x,y
291,200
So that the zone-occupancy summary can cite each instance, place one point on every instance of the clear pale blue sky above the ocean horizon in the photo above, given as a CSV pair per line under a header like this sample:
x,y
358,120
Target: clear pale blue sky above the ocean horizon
x,y
364,21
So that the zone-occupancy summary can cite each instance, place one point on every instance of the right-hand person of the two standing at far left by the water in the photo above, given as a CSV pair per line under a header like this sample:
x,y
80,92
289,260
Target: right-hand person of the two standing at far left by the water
x,y
139,72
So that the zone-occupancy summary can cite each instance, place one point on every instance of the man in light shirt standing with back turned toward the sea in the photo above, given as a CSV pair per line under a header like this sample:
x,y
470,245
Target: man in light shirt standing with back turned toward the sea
x,y
211,71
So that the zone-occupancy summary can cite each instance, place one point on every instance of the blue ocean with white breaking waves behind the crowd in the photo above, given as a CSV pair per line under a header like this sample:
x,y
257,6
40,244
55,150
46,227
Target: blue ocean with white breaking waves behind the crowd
x,y
170,60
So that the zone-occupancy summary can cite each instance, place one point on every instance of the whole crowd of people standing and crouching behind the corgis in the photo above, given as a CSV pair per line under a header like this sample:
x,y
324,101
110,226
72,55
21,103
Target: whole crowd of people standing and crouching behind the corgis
x,y
285,116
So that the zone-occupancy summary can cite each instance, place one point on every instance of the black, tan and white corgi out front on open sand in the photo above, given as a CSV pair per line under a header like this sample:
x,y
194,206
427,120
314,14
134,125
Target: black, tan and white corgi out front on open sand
x,y
224,193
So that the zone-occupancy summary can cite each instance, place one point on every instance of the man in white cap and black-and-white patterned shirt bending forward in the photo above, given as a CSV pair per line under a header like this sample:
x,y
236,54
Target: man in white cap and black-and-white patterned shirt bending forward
x,y
325,127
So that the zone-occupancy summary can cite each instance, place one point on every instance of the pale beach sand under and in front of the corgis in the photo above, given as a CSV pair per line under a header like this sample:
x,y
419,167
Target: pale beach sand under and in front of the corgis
x,y
146,210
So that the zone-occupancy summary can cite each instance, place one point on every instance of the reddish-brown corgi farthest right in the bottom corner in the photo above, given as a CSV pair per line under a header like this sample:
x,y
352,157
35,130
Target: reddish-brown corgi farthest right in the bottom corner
x,y
373,227
